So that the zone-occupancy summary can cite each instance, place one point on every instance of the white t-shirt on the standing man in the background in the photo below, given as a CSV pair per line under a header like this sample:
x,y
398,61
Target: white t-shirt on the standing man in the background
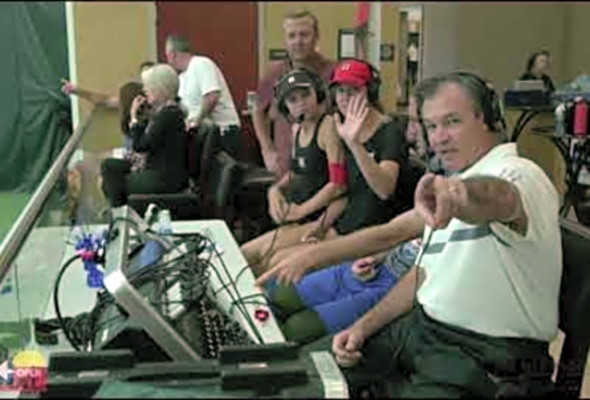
x,y
203,76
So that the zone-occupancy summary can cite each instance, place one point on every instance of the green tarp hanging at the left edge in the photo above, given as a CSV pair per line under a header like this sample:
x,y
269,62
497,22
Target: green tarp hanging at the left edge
x,y
34,121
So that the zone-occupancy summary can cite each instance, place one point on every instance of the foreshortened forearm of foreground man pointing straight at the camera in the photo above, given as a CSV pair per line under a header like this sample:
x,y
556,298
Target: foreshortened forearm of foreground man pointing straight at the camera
x,y
490,199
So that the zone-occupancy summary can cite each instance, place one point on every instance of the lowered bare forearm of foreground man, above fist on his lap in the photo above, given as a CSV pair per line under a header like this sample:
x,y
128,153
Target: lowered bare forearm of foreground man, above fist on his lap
x,y
396,302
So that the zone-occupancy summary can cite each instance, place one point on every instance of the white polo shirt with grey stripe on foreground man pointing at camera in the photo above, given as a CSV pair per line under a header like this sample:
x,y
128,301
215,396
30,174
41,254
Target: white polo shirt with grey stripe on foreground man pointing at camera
x,y
488,278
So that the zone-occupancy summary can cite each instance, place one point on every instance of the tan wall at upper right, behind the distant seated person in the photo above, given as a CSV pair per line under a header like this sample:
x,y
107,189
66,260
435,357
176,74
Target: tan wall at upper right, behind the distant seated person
x,y
495,38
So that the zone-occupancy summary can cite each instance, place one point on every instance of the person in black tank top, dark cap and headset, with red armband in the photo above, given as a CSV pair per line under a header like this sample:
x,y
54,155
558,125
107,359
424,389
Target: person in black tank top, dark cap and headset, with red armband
x,y
305,191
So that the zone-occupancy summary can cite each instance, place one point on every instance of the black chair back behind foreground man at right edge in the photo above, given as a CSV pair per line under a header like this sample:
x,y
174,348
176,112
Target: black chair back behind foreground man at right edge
x,y
574,308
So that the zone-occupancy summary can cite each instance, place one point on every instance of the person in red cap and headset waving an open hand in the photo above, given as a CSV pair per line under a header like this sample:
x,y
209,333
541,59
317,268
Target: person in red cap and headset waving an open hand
x,y
376,163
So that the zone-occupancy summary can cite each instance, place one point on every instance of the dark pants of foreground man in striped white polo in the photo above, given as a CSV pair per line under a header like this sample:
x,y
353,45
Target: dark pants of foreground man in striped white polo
x,y
416,356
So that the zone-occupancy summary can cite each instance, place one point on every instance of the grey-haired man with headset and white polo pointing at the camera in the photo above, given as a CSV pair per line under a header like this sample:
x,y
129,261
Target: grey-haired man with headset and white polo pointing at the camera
x,y
475,315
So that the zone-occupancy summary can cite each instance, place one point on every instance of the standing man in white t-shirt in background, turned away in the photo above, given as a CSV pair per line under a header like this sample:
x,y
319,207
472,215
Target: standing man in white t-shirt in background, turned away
x,y
203,91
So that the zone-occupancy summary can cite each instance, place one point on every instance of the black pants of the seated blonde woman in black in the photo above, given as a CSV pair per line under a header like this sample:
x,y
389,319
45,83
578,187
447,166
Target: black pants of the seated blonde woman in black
x,y
118,181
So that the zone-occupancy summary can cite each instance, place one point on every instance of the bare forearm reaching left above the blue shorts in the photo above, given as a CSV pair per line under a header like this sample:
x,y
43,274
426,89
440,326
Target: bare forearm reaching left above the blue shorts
x,y
365,242
